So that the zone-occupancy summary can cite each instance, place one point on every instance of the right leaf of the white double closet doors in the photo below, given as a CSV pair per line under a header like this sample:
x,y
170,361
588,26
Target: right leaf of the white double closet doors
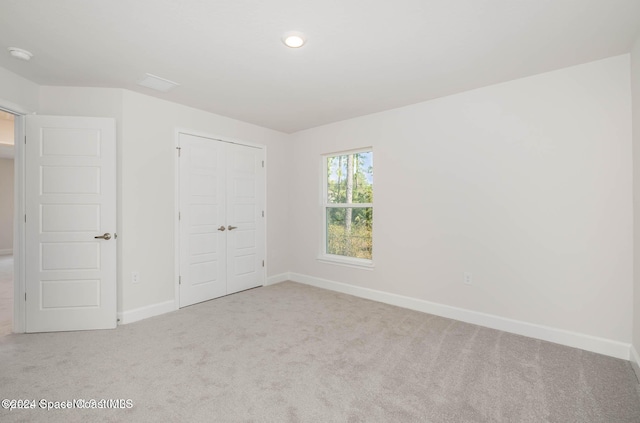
x,y
245,200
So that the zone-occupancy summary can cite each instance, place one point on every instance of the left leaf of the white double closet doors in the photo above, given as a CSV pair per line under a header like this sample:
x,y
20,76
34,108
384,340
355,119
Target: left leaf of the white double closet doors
x,y
203,255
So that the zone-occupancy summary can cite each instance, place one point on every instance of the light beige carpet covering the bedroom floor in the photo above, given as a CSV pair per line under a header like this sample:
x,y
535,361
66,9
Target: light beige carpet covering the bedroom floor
x,y
293,353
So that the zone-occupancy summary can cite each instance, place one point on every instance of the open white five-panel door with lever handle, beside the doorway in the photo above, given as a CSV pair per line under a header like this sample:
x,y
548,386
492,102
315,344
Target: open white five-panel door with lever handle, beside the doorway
x,y
70,185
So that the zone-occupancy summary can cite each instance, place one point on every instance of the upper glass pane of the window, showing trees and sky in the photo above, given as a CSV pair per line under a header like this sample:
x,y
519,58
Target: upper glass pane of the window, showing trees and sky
x,y
350,178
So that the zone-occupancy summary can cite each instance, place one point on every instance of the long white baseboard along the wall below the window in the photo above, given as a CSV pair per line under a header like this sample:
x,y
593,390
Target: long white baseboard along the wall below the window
x,y
559,336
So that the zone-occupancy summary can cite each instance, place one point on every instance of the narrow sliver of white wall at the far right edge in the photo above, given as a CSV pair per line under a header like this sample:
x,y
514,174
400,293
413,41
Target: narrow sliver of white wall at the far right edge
x,y
635,92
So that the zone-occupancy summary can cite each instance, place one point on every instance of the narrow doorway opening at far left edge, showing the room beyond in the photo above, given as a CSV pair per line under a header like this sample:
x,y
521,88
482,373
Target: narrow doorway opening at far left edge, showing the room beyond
x,y
7,195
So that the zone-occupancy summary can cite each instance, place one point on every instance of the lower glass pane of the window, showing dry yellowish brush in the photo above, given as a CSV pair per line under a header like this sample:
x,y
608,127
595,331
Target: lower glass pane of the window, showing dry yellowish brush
x,y
349,231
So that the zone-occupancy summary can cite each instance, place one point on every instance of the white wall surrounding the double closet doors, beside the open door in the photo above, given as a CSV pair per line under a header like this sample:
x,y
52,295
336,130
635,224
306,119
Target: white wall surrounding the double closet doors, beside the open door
x,y
146,152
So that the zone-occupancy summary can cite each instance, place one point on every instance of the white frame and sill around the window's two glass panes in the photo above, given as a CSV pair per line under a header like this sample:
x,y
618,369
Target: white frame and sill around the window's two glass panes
x,y
334,258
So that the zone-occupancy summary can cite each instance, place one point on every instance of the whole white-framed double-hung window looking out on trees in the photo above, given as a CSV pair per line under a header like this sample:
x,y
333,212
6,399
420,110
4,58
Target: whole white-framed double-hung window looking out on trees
x,y
347,207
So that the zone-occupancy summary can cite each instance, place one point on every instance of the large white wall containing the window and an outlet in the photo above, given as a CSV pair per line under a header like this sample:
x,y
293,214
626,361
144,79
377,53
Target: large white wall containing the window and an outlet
x,y
526,184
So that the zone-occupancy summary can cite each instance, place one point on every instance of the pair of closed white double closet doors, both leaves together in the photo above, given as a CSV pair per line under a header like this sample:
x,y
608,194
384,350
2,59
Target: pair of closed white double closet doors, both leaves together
x,y
221,217
